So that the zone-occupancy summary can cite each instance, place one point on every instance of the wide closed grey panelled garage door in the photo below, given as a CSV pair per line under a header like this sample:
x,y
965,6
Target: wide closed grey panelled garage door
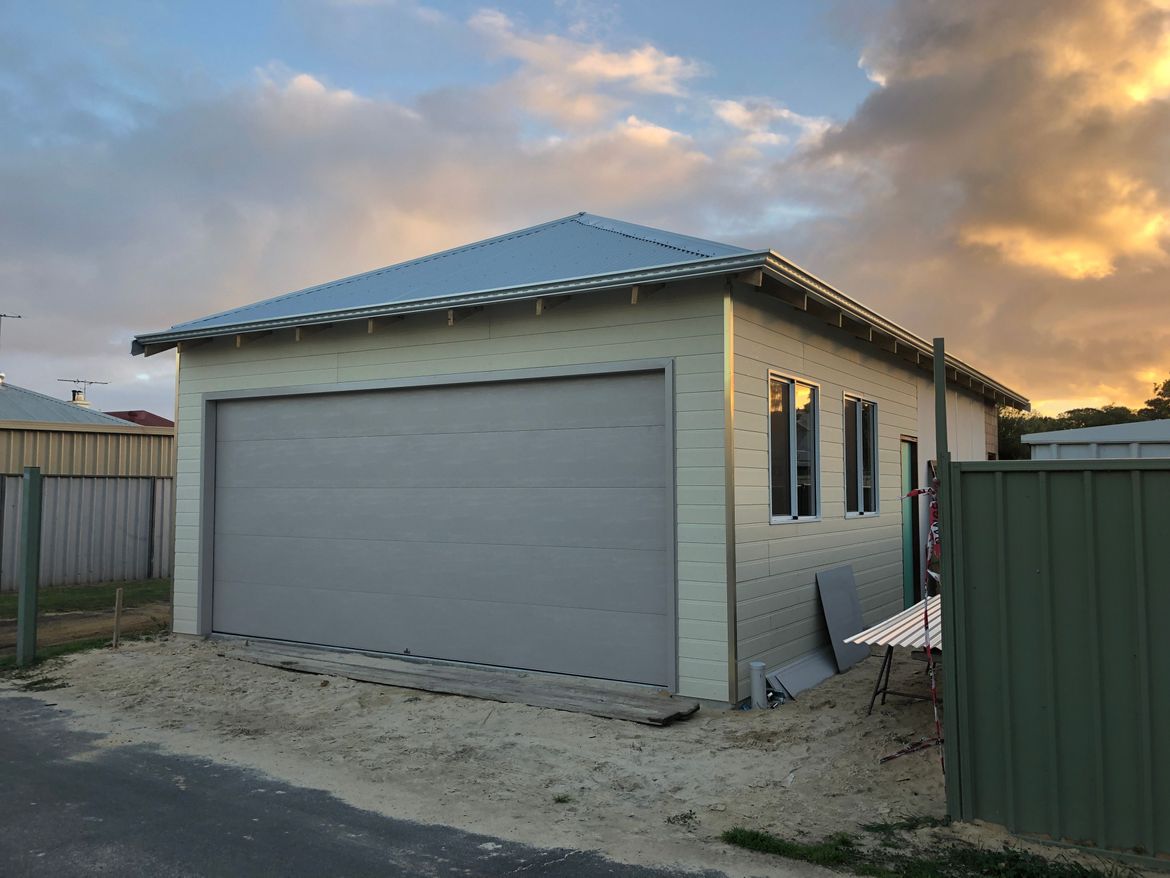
x,y
519,524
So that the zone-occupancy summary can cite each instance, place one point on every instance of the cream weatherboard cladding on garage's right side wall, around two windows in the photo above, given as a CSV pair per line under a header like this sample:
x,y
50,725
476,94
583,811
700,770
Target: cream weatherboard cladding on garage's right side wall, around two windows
x,y
779,609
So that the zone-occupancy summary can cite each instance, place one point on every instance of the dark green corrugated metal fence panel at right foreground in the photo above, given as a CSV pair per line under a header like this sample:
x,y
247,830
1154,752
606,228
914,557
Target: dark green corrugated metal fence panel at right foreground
x,y
1062,582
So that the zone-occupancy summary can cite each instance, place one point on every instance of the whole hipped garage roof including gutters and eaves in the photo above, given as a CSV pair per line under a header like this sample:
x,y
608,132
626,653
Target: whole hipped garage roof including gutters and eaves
x,y
574,256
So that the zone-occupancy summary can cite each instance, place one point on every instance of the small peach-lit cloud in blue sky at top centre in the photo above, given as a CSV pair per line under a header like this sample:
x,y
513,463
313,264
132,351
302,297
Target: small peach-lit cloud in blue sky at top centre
x,y
579,84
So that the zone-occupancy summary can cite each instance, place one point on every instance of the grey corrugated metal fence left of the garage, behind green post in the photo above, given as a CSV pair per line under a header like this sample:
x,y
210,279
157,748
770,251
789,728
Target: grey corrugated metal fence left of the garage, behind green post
x,y
93,531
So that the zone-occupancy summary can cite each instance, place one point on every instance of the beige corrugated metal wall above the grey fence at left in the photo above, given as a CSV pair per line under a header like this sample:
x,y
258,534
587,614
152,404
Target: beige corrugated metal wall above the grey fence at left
x,y
133,452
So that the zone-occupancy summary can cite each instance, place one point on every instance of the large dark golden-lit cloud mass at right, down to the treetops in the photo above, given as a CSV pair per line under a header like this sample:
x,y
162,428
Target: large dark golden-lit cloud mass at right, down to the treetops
x,y
1007,186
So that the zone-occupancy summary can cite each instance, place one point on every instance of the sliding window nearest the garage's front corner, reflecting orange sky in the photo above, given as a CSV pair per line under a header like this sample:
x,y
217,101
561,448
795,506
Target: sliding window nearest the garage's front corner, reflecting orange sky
x,y
793,450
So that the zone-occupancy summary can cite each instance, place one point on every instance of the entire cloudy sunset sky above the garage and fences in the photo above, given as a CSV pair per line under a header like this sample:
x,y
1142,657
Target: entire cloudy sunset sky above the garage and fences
x,y
992,173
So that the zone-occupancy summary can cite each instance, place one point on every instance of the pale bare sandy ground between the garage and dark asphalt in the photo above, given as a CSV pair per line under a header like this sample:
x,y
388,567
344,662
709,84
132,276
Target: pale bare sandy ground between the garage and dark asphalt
x,y
638,794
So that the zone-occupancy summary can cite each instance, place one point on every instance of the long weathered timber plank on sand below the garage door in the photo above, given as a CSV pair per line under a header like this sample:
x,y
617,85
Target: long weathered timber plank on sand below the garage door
x,y
600,698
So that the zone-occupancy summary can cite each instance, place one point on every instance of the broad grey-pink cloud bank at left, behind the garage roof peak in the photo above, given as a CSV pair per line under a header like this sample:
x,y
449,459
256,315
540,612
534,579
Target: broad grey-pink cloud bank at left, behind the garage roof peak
x,y
281,183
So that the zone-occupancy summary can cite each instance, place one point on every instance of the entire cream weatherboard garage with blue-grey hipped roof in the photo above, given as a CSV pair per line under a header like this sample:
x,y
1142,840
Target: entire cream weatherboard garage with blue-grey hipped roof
x,y
587,448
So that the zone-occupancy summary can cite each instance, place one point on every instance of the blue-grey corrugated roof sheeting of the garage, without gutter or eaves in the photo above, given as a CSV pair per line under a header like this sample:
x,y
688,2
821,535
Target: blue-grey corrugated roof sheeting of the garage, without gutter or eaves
x,y
576,246
